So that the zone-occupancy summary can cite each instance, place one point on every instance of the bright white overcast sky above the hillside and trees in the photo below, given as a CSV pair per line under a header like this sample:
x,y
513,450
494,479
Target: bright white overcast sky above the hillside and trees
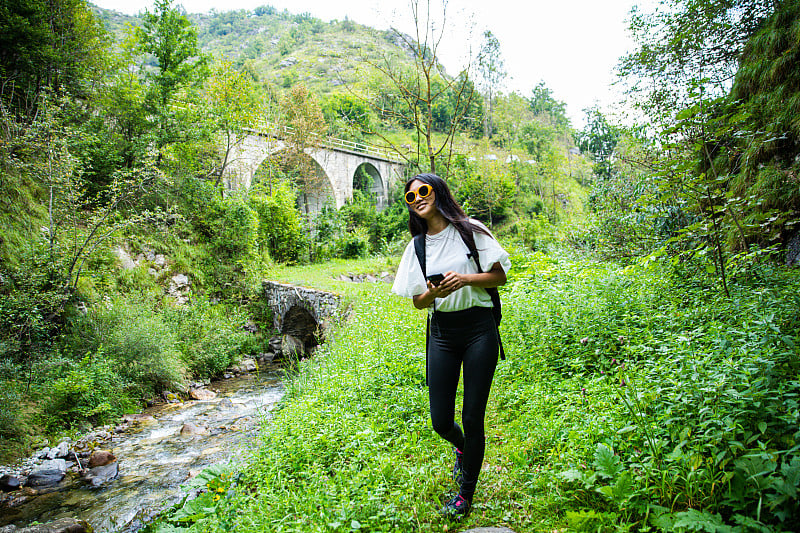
x,y
571,45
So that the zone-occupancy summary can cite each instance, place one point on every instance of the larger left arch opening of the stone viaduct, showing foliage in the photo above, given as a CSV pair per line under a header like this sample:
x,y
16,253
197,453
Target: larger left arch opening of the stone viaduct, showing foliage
x,y
318,190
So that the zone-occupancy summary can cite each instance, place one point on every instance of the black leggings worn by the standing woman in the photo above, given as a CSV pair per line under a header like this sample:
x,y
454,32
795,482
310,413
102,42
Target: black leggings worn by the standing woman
x,y
468,337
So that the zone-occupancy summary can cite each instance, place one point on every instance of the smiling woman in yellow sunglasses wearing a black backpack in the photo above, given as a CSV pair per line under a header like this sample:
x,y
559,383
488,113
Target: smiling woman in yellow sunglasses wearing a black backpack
x,y
462,327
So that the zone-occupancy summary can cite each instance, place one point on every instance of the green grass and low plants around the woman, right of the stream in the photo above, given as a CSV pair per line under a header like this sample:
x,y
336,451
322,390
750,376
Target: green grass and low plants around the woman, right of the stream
x,y
697,432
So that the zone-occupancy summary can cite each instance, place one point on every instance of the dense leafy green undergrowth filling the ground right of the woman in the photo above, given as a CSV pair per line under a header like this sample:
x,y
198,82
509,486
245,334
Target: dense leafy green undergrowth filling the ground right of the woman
x,y
686,400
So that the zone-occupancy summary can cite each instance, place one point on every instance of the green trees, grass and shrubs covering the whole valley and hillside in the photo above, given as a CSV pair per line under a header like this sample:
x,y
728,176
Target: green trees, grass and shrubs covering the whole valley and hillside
x,y
651,314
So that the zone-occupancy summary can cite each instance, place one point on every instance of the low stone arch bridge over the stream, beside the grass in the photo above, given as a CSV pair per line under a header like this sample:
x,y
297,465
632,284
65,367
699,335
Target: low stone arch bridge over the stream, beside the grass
x,y
301,312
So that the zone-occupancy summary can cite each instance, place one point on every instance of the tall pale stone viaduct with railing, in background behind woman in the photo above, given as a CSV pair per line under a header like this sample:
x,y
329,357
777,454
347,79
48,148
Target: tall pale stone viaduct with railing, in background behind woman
x,y
338,160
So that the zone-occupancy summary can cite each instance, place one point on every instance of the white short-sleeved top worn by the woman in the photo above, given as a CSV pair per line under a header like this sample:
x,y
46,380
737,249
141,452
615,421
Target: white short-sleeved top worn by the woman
x,y
444,252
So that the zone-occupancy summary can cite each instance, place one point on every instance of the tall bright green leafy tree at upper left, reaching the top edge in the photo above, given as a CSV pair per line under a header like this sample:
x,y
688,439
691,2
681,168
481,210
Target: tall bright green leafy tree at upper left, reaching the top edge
x,y
169,36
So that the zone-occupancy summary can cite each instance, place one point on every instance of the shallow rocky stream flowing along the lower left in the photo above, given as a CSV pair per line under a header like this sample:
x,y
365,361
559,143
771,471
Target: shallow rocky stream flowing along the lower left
x,y
155,459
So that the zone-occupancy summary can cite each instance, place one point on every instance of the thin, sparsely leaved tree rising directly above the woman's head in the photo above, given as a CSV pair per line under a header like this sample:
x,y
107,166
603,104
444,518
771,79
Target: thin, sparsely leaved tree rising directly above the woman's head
x,y
420,89
